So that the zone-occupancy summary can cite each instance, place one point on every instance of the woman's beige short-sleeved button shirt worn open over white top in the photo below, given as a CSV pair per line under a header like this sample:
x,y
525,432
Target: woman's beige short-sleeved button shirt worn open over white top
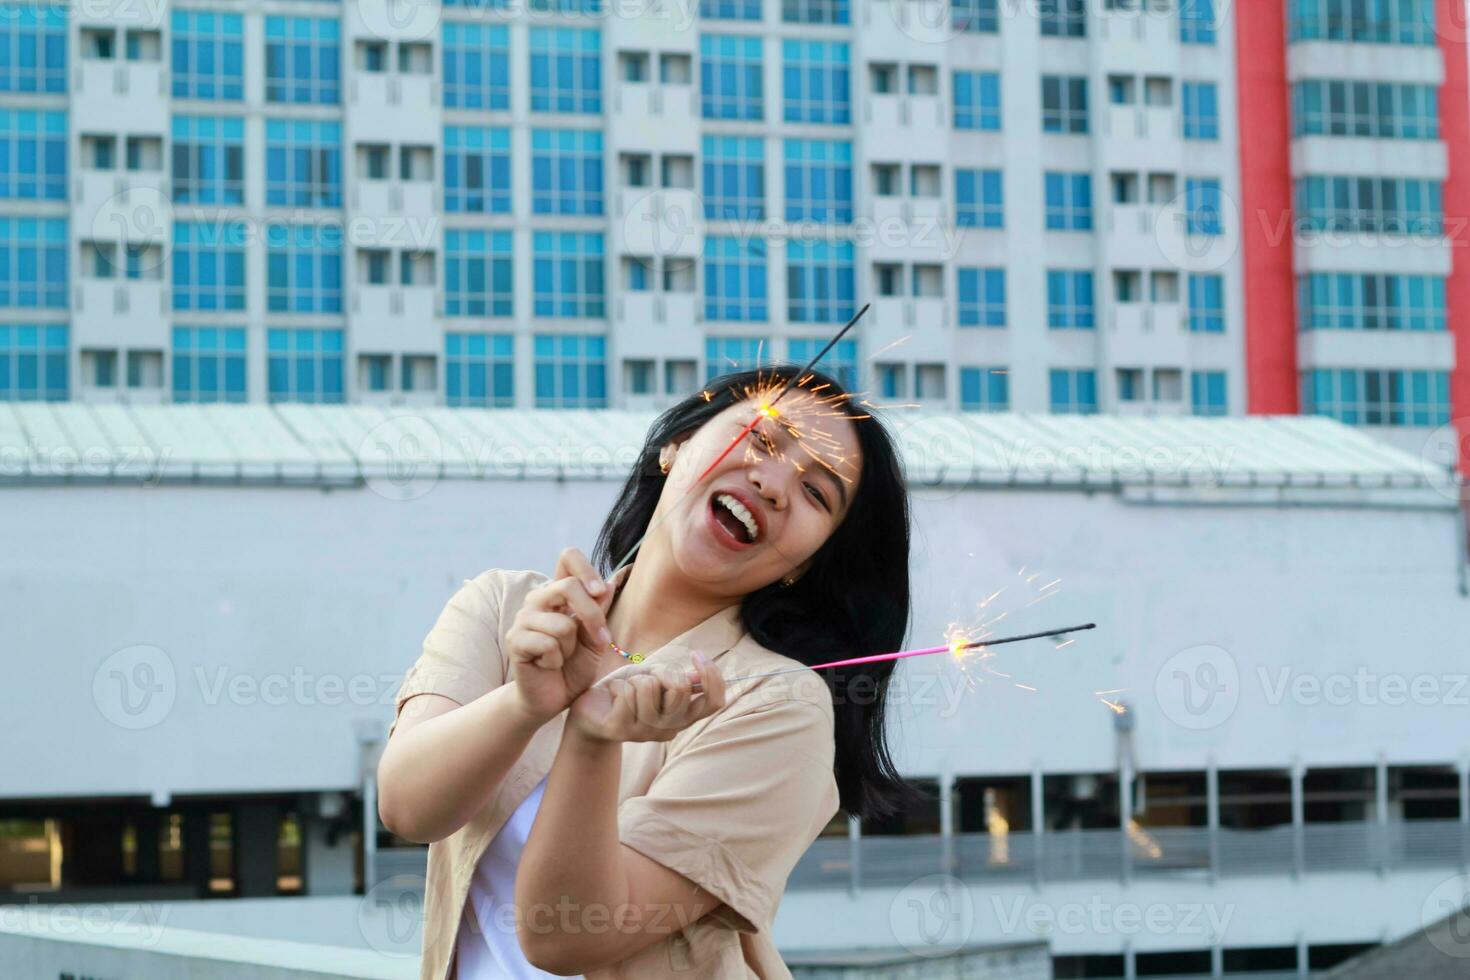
x,y
731,803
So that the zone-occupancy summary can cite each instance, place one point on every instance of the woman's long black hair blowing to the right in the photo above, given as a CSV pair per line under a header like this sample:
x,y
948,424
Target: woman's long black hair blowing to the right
x,y
852,602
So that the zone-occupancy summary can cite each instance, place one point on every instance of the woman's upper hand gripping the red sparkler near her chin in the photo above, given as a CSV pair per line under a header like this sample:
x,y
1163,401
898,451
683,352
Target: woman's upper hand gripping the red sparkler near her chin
x,y
559,637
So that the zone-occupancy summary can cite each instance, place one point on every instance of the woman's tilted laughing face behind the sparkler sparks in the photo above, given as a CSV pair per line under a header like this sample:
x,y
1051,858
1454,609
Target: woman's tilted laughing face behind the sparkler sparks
x,y
771,503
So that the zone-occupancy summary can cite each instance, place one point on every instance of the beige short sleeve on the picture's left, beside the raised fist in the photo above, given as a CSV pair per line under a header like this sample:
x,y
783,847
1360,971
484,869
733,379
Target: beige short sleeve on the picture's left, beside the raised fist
x,y
462,659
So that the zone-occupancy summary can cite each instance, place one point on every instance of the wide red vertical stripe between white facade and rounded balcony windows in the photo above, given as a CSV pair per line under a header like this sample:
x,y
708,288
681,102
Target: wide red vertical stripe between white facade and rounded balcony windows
x,y
1265,130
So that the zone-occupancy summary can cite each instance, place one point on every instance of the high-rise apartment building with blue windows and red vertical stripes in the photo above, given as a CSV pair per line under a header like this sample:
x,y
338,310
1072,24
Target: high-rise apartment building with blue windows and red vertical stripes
x,y
1071,206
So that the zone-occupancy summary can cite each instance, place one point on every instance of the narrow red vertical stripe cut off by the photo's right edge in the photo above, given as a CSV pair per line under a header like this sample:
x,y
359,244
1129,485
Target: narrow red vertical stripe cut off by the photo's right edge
x,y
1455,130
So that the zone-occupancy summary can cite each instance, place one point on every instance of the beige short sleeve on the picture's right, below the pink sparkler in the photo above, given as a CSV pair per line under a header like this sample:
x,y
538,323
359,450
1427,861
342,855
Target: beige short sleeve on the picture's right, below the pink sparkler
x,y
740,804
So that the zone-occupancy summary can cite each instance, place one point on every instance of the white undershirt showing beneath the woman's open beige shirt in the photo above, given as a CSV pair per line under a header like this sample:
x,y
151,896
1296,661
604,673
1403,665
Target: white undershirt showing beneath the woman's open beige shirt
x,y
493,953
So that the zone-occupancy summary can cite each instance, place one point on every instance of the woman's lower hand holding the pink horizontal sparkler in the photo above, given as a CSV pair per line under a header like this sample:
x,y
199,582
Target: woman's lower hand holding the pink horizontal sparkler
x,y
648,703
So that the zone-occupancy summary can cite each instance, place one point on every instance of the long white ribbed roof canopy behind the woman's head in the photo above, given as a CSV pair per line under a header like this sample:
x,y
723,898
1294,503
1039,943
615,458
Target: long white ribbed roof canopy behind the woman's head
x,y
77,443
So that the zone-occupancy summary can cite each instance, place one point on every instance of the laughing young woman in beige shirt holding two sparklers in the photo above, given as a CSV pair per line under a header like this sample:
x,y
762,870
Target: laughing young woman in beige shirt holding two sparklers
x,y
595,816
